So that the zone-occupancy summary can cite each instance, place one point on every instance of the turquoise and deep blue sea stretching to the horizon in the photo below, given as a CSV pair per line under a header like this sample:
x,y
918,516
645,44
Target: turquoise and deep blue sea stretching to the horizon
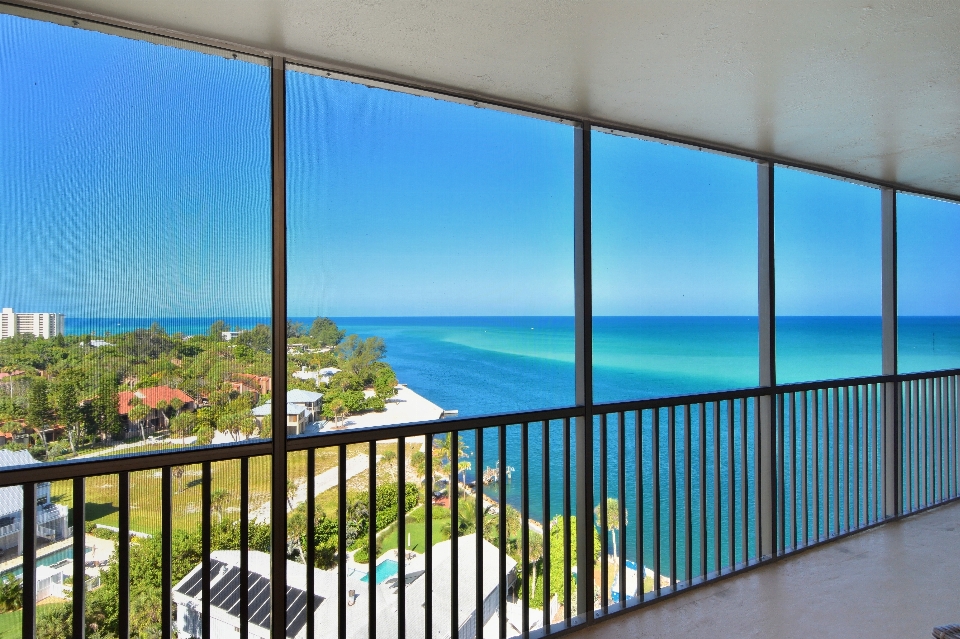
x,y
489,365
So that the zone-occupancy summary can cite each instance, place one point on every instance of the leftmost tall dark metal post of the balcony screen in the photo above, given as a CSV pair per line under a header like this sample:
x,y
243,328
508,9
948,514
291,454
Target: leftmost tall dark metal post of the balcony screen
x,y
278,414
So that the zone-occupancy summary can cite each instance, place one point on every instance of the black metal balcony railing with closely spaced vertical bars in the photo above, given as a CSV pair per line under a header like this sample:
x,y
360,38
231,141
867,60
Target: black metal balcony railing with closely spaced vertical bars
x,y
717,483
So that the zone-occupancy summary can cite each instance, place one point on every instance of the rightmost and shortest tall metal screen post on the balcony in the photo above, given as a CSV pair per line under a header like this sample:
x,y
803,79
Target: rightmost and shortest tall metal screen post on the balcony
x,y
890,418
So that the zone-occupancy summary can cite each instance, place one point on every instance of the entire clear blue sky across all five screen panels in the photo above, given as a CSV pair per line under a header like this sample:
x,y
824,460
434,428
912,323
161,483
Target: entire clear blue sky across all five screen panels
x,y
135,181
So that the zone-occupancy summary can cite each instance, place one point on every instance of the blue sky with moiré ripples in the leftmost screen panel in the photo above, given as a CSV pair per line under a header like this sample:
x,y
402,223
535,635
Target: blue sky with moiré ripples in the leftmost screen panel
x,y
134,178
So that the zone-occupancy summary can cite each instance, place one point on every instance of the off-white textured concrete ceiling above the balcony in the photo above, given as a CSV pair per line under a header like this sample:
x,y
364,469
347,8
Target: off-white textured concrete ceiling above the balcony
x,y
870,88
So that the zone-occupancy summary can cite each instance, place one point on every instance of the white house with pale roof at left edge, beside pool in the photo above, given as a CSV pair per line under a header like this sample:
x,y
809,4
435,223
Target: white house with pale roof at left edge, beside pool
x,y
51,519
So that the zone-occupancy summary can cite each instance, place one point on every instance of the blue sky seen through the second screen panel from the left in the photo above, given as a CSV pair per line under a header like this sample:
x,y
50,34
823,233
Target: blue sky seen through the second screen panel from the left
x,y
403,205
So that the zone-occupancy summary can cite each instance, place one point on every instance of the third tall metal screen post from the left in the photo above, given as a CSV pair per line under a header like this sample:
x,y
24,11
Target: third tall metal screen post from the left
x,y
765,420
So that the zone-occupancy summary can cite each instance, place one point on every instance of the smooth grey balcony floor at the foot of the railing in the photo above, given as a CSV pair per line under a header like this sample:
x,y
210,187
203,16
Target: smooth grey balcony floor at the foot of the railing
x,y
898,580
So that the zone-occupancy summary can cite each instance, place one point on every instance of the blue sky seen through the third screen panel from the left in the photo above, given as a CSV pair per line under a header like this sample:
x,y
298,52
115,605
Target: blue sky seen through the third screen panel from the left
x,y
674,230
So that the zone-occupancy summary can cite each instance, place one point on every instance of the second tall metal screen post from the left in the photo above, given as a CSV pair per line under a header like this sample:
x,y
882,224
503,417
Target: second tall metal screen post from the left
x,y
584,370
